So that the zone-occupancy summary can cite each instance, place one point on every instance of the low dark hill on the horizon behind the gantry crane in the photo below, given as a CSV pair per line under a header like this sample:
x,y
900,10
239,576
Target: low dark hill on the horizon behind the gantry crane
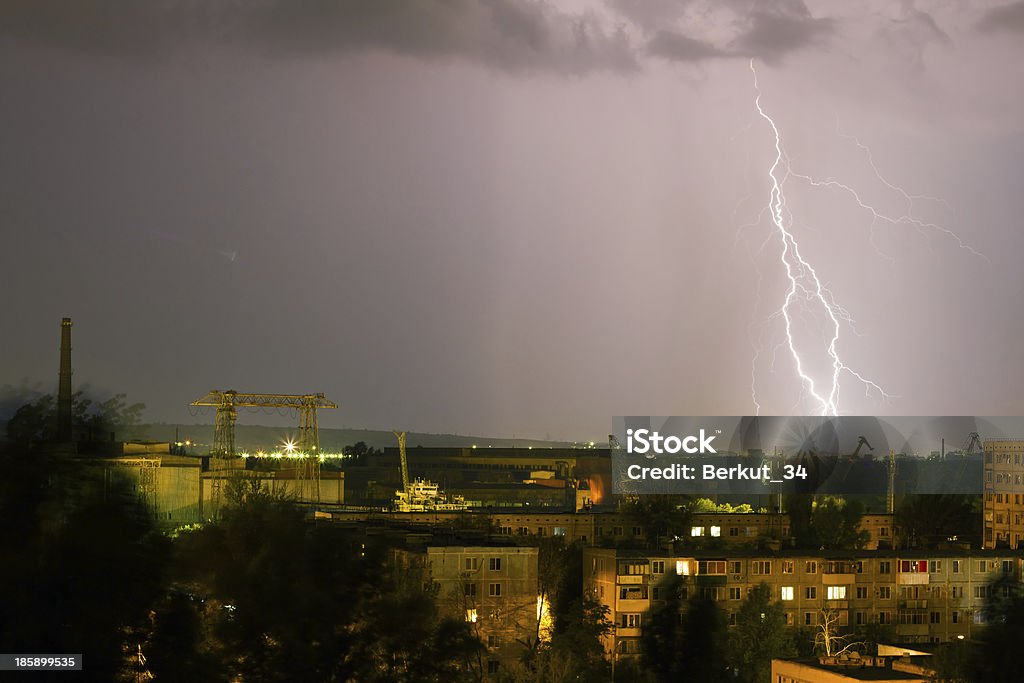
x,y
251,438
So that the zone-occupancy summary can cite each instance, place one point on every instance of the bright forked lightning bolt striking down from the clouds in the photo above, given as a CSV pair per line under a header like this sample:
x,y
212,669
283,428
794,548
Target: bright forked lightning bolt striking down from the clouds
x,y
805,289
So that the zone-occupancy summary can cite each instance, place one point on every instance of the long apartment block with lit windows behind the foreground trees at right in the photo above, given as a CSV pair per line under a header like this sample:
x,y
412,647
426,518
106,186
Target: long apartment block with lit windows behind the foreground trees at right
x,y
926,597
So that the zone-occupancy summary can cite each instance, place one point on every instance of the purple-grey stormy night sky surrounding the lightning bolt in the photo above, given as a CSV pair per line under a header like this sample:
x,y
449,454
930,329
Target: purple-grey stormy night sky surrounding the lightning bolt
x,y
510,218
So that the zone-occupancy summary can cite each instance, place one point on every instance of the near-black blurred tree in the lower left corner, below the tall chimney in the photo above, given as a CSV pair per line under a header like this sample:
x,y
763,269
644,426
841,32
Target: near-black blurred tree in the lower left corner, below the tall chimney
x,y
83,563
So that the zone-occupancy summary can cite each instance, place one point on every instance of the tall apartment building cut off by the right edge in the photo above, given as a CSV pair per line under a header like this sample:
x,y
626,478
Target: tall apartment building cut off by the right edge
x,y
1004,506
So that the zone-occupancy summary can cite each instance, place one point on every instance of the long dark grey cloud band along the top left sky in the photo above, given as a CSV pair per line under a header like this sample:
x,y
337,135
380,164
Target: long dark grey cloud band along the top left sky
x,y
504,34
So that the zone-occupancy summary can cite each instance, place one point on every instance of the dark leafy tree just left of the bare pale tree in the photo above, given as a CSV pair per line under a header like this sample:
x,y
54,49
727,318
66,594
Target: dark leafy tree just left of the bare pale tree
x,y
759,636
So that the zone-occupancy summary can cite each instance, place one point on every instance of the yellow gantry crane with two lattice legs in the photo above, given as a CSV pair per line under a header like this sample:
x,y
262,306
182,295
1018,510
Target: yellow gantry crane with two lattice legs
x,y
228,404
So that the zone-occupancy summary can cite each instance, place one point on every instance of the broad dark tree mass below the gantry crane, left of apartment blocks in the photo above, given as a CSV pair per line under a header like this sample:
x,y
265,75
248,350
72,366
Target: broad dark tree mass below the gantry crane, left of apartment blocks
x,y
286,600
